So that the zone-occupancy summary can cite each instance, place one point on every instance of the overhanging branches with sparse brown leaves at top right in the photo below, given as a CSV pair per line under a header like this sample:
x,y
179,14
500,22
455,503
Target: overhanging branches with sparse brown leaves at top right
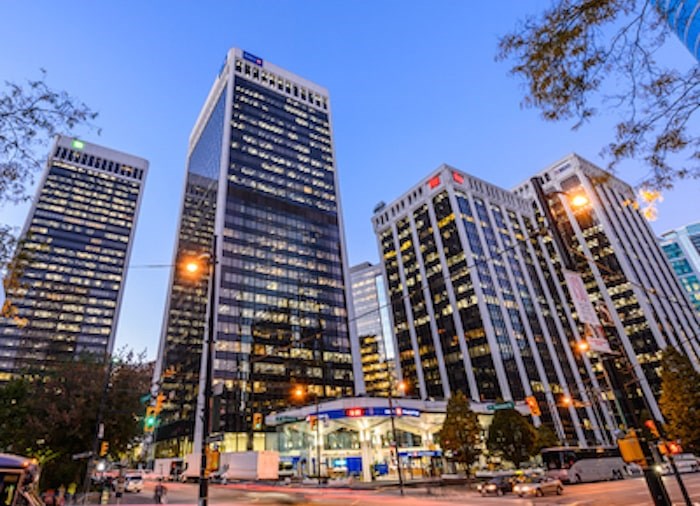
x,y
570,52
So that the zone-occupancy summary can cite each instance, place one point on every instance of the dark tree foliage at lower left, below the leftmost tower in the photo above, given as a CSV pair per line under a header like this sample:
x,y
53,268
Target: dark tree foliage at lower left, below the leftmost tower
x,y
55,416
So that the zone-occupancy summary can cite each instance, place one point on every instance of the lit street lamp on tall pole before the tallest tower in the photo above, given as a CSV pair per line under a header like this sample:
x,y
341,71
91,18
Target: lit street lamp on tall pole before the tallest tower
x,y
194,267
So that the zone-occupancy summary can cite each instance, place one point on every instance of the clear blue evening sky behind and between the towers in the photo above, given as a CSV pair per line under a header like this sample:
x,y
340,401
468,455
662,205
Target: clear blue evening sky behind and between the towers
x,y
412,85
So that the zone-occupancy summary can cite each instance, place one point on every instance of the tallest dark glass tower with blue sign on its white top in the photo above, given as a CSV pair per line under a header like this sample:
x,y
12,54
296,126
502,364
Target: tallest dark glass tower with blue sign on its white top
x,y
261,177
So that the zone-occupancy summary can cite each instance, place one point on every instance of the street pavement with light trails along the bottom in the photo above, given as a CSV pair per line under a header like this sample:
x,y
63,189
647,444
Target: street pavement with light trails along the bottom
x,y
617,493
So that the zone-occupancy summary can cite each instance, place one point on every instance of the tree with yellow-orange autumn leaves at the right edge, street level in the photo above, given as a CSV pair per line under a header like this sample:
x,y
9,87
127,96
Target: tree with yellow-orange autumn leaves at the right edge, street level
x,y
680,399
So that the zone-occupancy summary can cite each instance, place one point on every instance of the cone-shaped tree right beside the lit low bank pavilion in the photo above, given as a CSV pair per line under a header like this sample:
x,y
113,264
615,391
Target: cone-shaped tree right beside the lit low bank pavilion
x,y
461,431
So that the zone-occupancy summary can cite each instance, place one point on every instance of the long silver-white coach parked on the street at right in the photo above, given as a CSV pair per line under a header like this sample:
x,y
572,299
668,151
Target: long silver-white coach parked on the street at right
x,y
578,465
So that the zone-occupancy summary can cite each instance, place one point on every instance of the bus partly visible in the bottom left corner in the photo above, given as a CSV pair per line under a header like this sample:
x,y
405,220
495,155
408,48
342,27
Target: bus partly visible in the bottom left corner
x,y
19,479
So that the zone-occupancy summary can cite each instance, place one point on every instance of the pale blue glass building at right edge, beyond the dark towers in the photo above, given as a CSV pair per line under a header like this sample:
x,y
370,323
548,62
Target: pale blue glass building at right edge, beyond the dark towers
x,y
682,248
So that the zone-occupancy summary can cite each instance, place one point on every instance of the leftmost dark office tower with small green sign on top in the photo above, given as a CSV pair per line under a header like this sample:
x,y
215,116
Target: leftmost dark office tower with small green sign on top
x,y
73,257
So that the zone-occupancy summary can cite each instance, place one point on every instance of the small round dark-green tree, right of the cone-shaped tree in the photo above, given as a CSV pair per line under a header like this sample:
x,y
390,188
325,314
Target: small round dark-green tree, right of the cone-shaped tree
x,y
511,436
